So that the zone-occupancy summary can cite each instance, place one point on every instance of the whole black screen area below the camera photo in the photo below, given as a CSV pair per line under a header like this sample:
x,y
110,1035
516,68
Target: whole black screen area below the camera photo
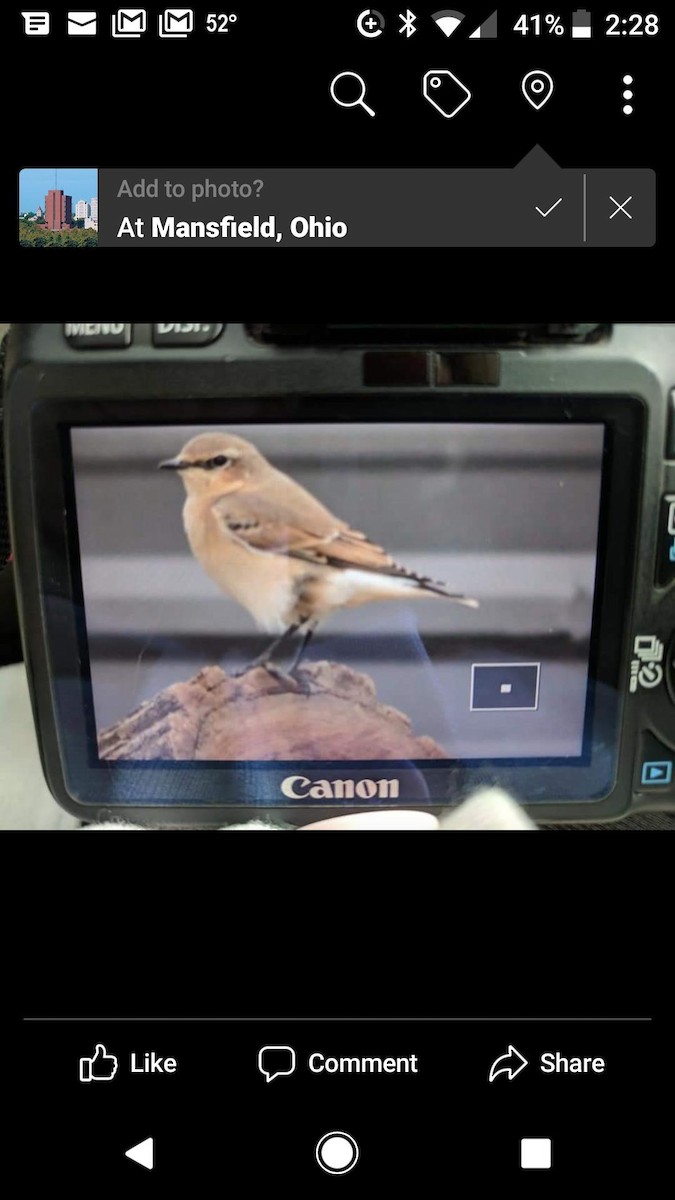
x,y
385,926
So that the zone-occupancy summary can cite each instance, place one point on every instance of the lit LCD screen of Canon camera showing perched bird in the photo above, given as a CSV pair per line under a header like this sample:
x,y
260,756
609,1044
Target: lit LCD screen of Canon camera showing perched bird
x,y
441,575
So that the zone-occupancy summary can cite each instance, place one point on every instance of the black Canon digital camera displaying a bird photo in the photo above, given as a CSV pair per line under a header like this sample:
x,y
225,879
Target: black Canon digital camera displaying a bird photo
x,y
314,569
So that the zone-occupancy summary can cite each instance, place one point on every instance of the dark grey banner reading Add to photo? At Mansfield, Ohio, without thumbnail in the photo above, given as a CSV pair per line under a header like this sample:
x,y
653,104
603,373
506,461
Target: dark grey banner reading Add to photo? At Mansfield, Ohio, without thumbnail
x,y
535,205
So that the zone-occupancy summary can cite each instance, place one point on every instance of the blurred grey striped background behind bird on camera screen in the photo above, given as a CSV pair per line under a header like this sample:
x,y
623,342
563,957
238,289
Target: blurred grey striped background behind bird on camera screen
x,y
506,514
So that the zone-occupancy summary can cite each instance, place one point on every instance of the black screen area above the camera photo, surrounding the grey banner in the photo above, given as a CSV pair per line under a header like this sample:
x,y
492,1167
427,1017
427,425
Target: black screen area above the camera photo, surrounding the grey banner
x,y
259,98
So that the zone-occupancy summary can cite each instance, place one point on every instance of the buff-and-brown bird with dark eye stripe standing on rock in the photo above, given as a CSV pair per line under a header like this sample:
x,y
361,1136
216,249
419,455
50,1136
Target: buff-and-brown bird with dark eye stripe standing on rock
x,y
277,550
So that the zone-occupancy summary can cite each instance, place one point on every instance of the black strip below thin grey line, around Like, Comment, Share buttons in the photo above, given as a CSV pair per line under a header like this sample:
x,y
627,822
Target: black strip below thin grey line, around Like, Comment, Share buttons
x,y
217,1118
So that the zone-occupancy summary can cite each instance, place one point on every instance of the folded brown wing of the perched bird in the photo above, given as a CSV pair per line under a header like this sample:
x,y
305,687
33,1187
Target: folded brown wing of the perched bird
x,y
304,531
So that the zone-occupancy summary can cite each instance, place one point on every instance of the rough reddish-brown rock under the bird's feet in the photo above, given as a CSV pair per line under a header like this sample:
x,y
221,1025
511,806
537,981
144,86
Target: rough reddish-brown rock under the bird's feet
x,y
328,712
